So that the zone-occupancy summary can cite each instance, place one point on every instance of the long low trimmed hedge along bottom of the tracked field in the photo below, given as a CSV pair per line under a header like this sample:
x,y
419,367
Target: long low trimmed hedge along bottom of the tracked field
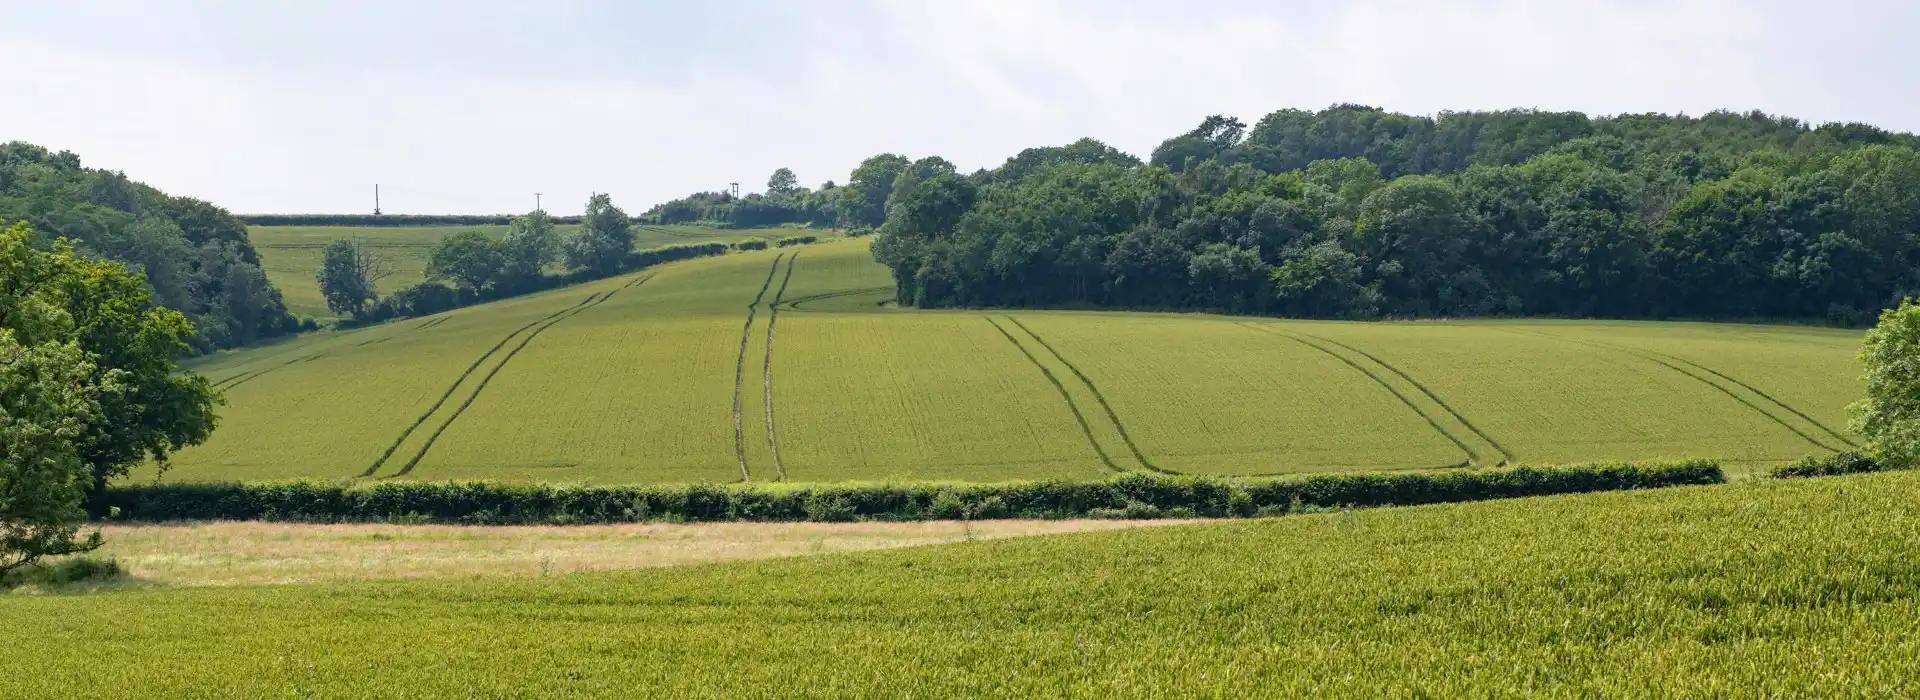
x,y
1130,496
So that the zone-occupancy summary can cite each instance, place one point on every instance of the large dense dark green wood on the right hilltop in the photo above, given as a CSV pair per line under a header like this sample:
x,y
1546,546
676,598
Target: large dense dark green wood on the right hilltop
x,y
1360,214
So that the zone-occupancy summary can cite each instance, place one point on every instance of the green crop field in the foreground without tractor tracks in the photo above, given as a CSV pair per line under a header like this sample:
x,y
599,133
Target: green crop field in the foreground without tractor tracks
x,y
1754,590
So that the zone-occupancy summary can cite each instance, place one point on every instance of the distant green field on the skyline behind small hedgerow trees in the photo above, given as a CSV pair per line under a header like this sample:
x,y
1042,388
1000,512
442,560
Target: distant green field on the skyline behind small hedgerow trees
x,y
293,254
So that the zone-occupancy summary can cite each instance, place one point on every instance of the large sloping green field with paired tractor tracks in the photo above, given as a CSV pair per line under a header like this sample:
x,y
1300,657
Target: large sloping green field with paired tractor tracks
x,y
794,365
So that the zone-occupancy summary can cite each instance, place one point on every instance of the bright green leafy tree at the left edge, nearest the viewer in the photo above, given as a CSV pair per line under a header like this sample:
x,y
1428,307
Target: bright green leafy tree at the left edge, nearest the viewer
x,y
87,390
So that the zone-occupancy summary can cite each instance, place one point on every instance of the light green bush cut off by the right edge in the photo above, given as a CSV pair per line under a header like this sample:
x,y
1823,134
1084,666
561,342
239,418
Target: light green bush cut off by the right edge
x,y
1890,415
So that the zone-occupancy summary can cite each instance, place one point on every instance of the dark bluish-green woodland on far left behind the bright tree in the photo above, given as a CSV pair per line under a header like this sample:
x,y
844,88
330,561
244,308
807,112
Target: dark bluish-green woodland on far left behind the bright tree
x,y
193,256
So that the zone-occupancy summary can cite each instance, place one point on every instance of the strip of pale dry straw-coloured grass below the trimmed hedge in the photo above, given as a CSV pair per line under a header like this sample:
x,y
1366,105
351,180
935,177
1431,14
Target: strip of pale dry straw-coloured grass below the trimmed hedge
x,y
254,553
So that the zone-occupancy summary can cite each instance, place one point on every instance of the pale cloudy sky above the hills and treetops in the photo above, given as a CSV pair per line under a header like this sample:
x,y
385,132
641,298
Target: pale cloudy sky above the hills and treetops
x,y
469,106
